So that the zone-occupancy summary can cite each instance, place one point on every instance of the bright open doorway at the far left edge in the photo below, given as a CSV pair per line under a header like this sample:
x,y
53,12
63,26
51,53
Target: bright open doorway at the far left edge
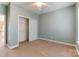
x,y
2,30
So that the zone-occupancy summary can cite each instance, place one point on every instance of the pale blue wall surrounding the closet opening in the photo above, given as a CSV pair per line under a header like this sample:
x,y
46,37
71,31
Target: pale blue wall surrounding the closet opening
x,y
14,13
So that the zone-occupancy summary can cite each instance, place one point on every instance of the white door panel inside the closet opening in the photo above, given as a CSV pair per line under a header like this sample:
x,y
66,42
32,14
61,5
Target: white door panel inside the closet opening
x,y
22,29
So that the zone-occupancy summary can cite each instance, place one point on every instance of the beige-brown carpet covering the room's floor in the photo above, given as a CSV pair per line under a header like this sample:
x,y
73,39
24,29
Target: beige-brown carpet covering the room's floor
x,y
39,48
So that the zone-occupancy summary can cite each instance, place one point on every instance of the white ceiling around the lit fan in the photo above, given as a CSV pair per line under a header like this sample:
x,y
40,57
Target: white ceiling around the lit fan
x,y
52,6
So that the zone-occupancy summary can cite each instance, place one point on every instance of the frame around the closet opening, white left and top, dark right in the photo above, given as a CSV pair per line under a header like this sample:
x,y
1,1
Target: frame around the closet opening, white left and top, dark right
x,y
27,20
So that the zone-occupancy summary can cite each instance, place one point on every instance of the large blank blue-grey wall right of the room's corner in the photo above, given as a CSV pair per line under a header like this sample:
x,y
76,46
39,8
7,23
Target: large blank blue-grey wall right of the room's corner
x,y
58,25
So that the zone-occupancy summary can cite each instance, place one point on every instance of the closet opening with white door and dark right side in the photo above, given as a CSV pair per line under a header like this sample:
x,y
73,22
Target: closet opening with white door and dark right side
x,y
23,29
